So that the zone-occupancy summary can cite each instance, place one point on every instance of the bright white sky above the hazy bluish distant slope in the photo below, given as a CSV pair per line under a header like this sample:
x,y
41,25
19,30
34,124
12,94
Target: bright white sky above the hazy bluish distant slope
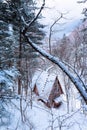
x,y
64,6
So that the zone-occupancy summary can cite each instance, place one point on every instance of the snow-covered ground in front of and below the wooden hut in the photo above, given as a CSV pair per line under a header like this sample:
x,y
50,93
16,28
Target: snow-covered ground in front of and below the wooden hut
x,y
42,118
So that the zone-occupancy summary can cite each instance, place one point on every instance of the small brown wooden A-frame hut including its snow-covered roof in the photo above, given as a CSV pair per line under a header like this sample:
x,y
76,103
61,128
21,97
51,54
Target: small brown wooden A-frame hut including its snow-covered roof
x,y
48,89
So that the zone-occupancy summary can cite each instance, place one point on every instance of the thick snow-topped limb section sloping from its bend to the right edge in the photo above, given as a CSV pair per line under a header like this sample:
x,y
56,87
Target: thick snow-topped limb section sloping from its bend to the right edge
x,y
75,80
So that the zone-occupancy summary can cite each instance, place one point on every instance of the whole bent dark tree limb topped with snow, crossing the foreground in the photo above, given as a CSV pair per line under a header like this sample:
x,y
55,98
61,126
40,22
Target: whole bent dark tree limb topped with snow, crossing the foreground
x,y
75,80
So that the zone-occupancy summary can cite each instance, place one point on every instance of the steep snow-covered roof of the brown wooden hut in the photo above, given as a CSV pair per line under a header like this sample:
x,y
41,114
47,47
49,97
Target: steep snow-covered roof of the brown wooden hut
x,y
44,84
